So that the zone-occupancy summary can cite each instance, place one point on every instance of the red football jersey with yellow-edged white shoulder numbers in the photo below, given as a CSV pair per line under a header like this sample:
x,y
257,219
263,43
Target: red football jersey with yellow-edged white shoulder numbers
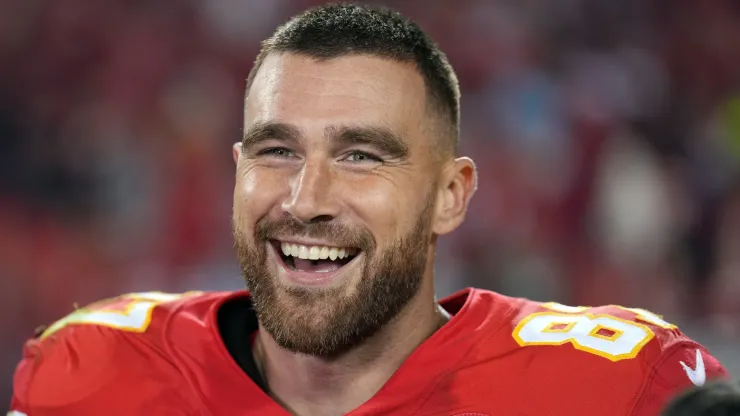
x,y
161,354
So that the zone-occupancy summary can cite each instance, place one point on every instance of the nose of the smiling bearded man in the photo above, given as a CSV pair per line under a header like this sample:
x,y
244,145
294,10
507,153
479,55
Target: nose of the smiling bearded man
x,y
311,194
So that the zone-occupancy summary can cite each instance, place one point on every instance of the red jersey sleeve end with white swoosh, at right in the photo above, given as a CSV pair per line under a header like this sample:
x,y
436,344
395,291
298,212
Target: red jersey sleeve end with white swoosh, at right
x,y
679,368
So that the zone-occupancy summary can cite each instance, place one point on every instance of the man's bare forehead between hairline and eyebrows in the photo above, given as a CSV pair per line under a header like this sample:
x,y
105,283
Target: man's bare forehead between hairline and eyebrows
x,y
346,90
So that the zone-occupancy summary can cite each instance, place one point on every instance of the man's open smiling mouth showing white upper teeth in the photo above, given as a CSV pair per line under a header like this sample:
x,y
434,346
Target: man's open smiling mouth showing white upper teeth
x,y
314,259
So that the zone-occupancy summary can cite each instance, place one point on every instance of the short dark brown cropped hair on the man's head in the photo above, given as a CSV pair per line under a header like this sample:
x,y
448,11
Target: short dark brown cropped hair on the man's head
x,y
335,30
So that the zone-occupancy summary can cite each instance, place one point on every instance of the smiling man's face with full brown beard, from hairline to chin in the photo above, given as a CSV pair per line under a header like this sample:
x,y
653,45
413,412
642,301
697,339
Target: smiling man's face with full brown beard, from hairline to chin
x,y
334,197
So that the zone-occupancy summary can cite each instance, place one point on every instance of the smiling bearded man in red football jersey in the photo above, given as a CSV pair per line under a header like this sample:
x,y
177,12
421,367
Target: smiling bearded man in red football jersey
x,y
345,178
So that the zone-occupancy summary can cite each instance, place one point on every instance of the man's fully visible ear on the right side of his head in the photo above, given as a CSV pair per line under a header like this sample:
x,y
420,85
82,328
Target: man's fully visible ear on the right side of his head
x,y
457,185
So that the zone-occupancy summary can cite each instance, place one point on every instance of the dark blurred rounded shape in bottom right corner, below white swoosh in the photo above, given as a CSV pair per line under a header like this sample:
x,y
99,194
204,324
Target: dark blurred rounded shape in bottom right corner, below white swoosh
x,y
719,398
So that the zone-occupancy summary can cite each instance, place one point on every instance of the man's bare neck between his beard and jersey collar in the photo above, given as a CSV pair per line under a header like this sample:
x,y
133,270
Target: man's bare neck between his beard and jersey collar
x,y
310,385
